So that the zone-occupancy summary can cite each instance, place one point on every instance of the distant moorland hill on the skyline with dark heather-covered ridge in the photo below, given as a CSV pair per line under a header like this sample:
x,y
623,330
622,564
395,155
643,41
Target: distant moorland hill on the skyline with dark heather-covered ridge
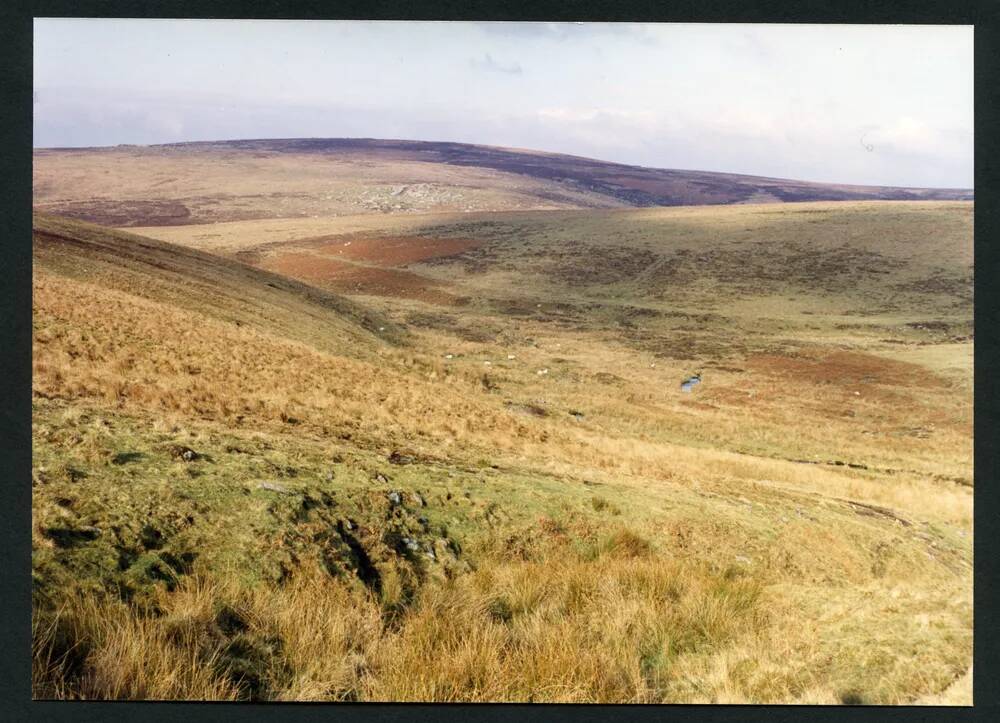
x,y
190,183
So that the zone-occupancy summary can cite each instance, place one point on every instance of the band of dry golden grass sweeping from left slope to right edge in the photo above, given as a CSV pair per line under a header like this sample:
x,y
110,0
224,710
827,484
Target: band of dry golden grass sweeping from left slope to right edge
x,y
87,348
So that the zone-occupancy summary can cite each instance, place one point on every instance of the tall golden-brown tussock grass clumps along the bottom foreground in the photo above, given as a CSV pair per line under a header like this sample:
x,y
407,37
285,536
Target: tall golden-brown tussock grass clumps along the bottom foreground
x,y
558,629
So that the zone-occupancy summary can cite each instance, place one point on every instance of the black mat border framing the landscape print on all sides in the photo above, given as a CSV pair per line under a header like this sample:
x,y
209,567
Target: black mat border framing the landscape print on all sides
x,y
15,313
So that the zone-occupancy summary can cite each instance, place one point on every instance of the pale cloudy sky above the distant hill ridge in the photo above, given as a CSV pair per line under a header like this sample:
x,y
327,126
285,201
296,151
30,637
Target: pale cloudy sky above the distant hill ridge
x,y
876,104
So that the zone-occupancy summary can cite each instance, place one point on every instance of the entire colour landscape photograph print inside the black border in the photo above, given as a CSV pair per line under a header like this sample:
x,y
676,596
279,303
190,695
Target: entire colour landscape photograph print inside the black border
x,y
399,361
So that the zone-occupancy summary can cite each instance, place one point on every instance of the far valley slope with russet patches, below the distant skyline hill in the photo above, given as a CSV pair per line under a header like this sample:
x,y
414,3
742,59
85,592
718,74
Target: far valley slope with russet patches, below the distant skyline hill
x,y
847,315
